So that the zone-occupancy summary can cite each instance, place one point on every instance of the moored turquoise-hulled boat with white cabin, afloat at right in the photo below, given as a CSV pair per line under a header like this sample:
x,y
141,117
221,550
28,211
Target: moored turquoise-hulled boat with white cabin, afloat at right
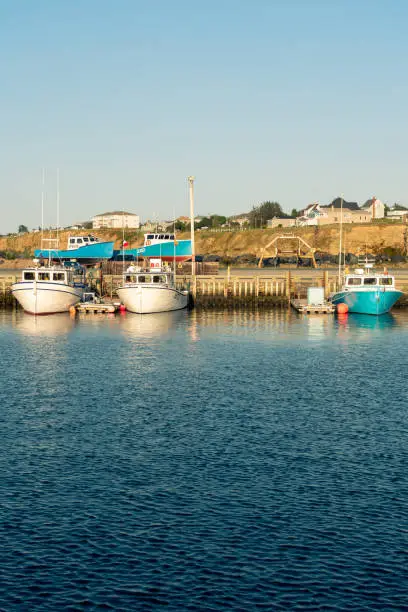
x,y
367,292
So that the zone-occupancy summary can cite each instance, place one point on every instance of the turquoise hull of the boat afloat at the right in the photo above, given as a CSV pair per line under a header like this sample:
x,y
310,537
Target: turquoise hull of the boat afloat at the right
x,y
374,302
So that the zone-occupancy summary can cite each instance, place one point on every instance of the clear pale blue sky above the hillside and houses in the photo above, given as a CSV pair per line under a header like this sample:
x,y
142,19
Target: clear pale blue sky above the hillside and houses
x,y
287,100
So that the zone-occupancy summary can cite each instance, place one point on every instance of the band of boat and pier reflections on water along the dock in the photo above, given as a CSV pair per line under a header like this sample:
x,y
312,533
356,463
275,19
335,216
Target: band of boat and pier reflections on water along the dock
x,y
279,324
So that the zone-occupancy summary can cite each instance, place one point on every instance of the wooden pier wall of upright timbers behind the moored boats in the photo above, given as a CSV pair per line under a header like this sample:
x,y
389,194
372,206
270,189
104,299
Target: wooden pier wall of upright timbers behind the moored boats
x,y
230,290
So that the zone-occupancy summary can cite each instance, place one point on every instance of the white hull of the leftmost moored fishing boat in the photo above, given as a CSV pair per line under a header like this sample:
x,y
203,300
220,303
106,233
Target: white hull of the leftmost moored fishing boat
x,y
46,298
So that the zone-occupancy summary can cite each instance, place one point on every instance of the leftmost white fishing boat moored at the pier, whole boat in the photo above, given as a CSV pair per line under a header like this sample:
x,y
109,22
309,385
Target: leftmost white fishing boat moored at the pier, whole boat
x,y
49,289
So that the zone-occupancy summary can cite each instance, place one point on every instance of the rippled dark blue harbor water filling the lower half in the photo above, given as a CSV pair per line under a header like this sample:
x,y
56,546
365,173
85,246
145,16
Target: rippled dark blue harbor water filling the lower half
x,y
204,461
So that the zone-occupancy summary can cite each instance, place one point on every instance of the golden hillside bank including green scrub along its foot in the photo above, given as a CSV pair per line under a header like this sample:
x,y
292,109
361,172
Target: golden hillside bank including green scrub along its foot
x,y
388,242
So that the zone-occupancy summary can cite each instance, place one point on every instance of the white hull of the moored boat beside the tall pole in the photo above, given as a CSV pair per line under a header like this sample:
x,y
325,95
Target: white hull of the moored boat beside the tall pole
x,y
149,298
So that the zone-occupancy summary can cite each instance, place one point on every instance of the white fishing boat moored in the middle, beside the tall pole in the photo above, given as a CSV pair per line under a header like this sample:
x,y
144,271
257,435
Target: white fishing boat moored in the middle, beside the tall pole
x,y
148,292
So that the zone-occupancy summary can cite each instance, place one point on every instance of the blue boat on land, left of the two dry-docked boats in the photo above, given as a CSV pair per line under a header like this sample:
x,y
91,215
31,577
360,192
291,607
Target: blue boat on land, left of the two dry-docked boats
x,y
85,249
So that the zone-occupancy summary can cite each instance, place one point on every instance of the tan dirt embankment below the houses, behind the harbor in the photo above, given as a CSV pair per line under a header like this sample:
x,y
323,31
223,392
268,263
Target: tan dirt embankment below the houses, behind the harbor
x,y
390,238
